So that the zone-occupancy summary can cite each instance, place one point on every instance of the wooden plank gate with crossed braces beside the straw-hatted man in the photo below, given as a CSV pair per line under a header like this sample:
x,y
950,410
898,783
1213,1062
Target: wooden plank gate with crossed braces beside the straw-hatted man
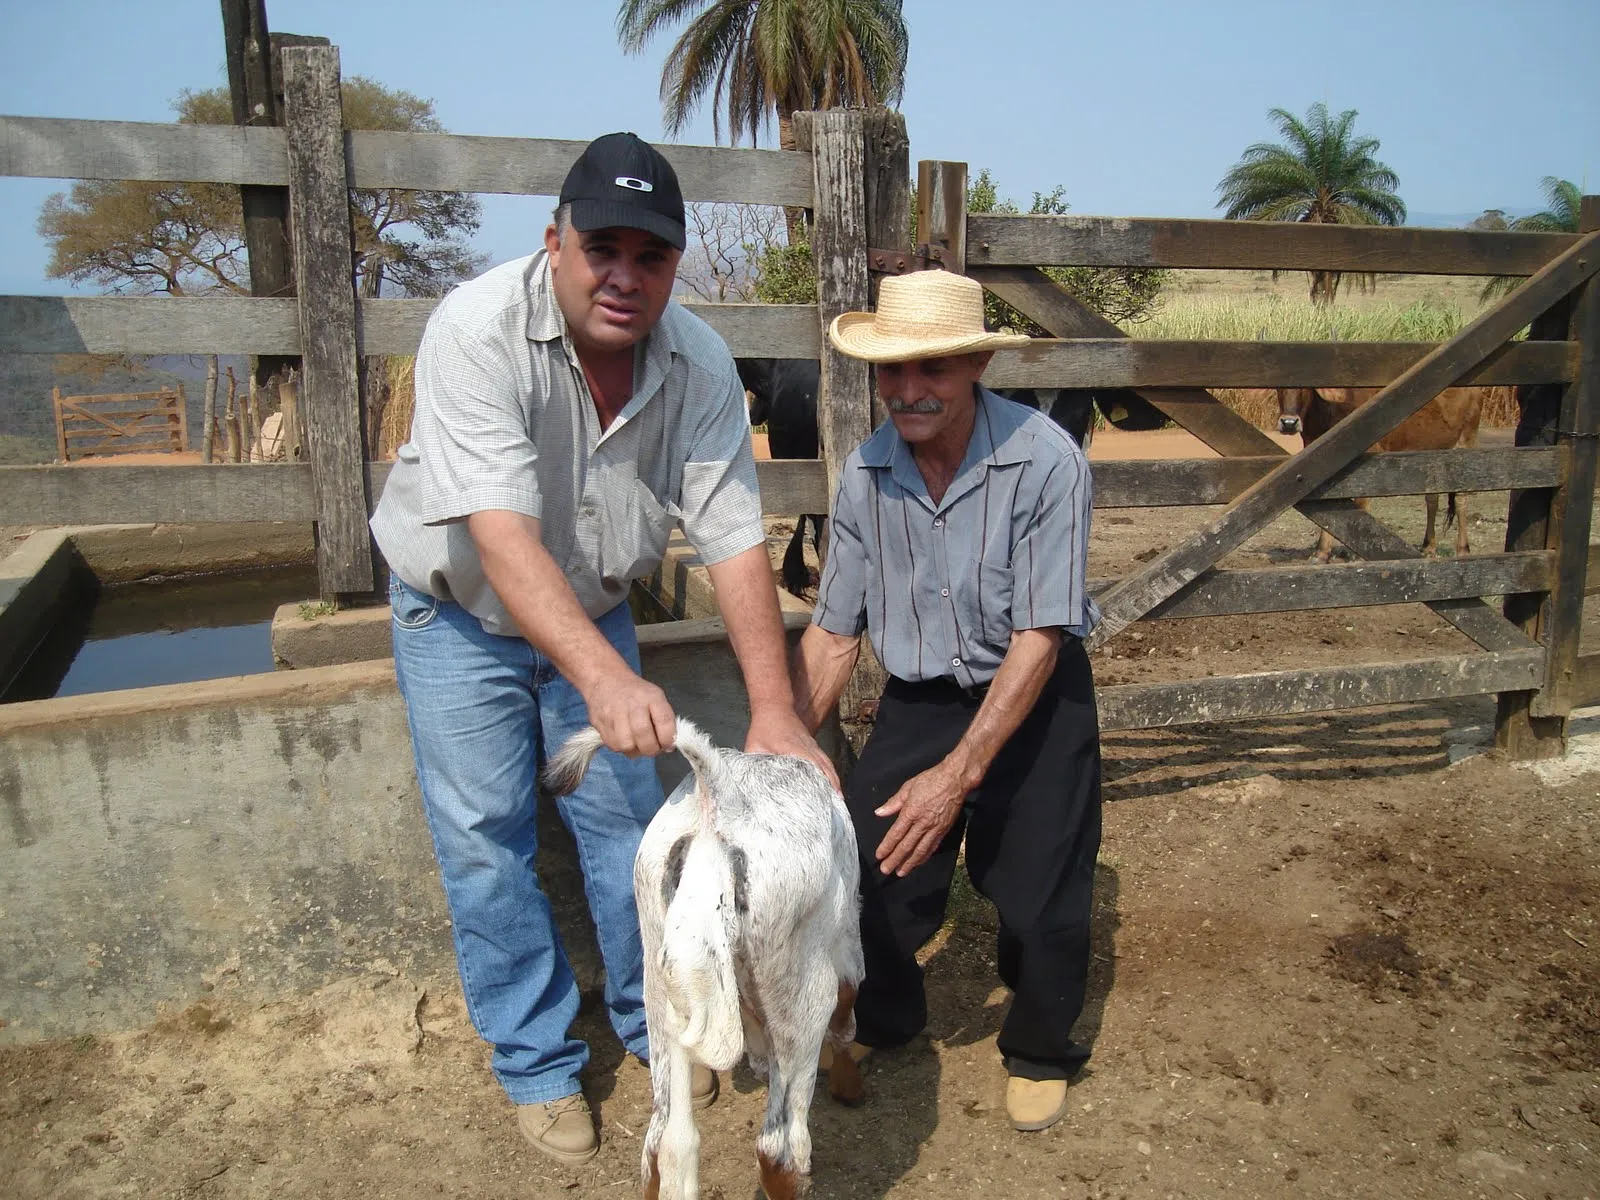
x,y
1529,649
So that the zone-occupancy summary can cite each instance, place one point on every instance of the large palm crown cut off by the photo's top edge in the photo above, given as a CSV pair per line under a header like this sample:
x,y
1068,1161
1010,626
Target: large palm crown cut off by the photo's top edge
x,y
758,58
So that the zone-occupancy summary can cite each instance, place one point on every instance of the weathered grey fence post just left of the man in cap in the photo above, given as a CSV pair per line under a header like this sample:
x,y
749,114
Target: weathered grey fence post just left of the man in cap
x,y
330,399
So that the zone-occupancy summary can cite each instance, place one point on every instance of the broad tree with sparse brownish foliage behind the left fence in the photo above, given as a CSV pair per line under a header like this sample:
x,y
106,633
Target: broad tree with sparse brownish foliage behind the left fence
x,y
185,239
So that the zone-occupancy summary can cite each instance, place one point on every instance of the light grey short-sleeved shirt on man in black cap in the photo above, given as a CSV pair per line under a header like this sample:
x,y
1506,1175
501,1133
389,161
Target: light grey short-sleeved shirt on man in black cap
x,y
505,422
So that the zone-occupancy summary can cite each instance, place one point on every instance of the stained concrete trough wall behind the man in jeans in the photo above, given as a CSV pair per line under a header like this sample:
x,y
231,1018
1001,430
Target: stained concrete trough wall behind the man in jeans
x,y
265,826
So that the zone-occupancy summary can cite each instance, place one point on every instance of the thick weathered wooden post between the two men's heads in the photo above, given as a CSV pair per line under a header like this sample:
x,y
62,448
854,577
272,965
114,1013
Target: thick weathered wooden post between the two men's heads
x,y
839,247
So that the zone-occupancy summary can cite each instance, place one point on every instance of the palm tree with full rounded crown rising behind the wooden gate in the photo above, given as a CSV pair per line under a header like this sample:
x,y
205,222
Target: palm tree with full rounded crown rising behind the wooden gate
x,y
1324,175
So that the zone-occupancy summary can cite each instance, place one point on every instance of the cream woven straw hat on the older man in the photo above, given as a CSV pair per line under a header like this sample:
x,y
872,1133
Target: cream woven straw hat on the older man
x,y
927,314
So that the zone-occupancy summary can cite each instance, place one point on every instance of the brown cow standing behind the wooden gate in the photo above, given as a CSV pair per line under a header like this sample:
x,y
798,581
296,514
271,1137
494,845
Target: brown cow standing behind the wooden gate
x,y
1444,423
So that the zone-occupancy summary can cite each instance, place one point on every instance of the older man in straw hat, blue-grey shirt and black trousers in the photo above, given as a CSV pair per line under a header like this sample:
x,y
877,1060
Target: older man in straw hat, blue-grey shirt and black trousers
x,y
959,543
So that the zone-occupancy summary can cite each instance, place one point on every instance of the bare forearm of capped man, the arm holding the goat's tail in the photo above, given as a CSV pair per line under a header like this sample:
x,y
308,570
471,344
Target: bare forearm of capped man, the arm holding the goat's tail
x,y
540,601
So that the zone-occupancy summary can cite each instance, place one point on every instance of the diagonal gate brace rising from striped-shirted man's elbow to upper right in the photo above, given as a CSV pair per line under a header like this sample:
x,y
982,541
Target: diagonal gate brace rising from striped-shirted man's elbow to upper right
x,y
1318,463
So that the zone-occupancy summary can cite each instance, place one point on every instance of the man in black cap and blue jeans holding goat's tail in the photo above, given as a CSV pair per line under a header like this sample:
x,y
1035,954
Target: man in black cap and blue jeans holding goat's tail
x,y
567,417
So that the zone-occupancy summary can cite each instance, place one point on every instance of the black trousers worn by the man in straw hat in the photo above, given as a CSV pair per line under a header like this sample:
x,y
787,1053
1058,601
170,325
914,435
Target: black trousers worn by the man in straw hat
x,y
1033,831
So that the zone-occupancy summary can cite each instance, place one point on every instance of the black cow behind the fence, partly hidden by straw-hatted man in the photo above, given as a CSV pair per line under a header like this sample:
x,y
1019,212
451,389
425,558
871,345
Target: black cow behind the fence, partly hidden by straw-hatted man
x,y
785,399
